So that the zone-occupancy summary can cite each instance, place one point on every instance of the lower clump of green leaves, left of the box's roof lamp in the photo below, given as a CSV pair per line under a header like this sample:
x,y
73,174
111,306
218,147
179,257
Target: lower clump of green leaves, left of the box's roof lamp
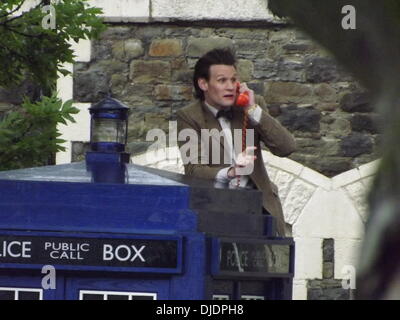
x,y
30,137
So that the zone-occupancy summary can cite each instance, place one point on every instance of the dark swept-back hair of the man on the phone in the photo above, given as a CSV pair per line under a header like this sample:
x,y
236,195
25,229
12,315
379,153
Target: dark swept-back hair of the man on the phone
x,y
202,68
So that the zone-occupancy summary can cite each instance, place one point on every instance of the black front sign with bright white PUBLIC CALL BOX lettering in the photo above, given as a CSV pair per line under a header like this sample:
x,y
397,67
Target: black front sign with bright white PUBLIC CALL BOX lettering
x,y
144,253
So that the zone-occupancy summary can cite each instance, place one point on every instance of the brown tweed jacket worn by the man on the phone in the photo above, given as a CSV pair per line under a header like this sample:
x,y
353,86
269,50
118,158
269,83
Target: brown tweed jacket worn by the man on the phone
x,y
278,140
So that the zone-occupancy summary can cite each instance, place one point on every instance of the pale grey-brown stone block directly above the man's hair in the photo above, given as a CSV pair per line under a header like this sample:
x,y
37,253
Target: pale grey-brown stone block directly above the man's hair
x,y
199,46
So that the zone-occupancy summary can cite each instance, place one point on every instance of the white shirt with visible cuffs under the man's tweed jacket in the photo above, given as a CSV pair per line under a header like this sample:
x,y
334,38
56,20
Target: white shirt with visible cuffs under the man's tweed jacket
x,y
222,175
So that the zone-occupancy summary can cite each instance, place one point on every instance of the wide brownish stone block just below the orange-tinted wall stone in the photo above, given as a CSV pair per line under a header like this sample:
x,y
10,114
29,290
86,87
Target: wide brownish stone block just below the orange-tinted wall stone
x,y
154,71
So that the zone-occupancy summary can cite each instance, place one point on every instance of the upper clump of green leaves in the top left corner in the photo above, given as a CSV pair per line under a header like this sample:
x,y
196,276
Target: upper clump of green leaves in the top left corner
x,y
28,49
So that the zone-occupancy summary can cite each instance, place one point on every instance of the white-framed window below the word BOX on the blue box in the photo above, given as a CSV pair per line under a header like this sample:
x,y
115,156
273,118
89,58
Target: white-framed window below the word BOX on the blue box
x,y
115,295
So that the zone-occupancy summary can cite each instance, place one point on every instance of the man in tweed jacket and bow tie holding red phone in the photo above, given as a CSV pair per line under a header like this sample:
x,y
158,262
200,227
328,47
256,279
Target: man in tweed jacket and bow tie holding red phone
x,y
215,80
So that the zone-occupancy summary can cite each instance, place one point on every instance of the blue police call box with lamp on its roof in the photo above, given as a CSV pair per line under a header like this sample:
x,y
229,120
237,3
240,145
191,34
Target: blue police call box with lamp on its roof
x,y
104,229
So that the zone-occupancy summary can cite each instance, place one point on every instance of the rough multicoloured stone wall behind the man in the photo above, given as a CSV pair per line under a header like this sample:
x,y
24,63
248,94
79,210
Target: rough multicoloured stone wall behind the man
x,y
149,67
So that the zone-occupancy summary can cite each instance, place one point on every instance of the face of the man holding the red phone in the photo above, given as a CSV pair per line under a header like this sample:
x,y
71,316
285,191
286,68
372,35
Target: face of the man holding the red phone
x,y
220,89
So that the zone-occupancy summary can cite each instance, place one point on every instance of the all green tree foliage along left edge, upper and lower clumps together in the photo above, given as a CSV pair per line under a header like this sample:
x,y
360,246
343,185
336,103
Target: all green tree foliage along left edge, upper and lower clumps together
x,y
29,49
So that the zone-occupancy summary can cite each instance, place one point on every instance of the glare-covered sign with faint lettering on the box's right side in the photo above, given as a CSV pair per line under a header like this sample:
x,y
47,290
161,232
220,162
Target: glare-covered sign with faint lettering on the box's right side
x,y
252,258
